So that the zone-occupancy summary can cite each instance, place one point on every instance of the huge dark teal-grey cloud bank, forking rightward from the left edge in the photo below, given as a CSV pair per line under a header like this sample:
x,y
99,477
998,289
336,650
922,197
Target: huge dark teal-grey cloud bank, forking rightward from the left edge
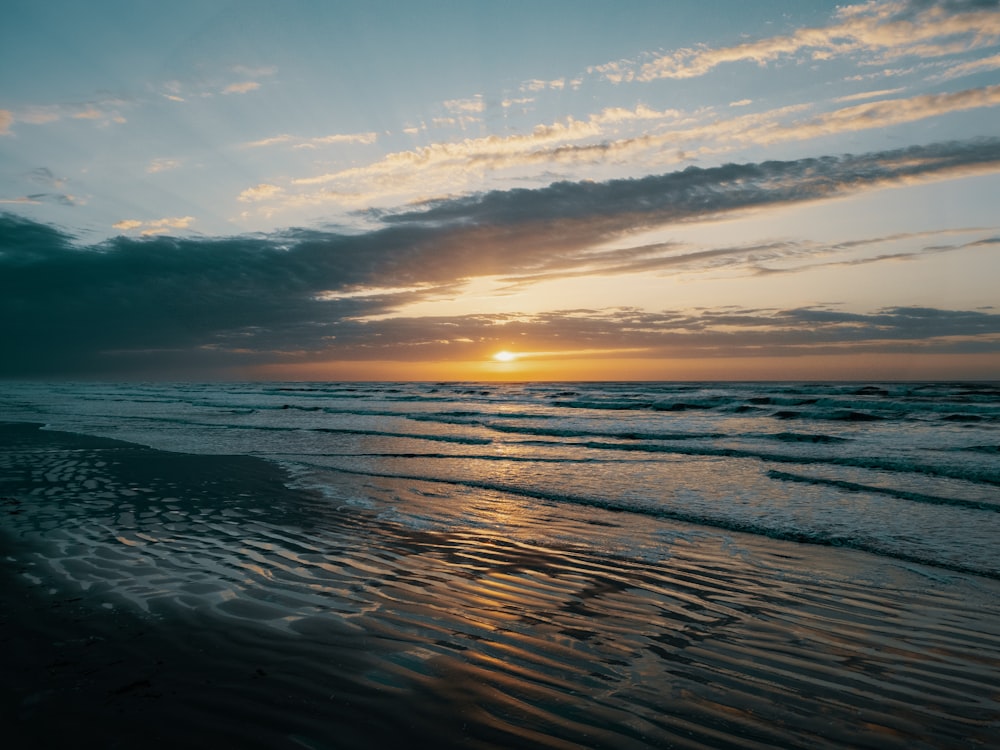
x,y
153,301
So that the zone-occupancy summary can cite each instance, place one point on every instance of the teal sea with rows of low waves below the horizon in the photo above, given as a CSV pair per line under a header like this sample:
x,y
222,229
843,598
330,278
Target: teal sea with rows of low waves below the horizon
x,y
906,471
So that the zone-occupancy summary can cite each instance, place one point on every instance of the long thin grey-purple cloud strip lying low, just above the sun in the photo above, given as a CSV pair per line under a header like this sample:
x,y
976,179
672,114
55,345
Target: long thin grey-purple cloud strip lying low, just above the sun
x,y
706,333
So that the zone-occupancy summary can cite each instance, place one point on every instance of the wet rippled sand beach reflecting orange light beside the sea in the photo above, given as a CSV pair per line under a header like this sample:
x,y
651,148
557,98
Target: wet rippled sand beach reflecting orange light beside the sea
x,y
171,599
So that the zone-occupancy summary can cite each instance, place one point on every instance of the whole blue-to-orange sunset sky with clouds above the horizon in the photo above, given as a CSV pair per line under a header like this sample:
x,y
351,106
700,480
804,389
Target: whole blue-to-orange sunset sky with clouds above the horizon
x,y
629,190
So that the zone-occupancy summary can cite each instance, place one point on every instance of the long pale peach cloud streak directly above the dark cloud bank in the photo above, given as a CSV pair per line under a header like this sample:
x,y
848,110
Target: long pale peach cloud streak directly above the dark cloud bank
x,y
664,137
